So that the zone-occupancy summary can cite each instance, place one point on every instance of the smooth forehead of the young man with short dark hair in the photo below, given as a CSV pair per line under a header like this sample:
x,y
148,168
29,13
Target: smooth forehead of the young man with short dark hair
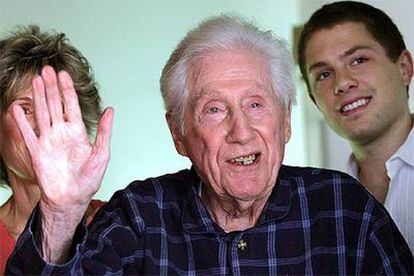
x,y
331,42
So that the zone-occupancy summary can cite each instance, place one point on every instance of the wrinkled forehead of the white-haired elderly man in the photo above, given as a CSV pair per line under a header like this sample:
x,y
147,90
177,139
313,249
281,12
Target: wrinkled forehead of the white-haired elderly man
x,y
228,66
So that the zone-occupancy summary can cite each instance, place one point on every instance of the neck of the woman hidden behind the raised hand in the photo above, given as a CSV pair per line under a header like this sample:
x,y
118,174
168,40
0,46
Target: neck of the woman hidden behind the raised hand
x,y
16,211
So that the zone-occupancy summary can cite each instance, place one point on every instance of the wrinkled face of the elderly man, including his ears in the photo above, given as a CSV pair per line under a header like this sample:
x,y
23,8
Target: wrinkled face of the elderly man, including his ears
x,y
236,129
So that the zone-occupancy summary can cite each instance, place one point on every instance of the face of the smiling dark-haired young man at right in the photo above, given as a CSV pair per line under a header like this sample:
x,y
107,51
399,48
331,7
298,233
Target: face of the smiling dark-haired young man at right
x,y
359,90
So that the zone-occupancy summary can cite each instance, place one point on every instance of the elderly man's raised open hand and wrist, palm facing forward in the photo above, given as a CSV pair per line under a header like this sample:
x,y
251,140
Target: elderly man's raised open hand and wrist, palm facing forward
x,y
69,169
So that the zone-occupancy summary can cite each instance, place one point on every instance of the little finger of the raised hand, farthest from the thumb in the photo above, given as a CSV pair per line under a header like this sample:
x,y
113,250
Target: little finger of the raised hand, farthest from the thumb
x,y
25,128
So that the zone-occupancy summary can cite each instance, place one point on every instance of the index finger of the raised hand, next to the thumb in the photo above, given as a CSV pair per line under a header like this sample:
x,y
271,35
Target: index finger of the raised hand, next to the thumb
x,y
70,98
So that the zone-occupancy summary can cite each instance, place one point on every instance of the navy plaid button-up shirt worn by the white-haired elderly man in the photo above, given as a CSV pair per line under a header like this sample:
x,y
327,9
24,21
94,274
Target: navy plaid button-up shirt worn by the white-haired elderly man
x,y
315,222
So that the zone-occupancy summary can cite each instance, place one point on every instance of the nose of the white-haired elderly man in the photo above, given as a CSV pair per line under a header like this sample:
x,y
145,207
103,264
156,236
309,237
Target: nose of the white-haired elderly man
x,y
240,129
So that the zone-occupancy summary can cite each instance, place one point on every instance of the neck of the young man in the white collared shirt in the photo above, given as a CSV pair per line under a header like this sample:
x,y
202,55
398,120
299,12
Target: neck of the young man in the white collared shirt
x,y
371,157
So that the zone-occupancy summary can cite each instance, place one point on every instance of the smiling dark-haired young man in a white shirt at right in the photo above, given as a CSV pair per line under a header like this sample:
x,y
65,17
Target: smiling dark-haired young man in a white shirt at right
x,y
357,70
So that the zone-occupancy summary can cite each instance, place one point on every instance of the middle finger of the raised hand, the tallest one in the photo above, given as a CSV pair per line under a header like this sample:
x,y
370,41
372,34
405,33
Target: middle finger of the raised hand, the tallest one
x,y
54,101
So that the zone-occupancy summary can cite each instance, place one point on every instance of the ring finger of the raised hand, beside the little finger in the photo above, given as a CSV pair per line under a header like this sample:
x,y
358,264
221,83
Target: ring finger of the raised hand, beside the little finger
x,y
40,105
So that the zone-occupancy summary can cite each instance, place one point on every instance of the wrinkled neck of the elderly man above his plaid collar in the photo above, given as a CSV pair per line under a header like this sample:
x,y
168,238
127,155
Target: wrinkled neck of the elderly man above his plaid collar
x,y
232,214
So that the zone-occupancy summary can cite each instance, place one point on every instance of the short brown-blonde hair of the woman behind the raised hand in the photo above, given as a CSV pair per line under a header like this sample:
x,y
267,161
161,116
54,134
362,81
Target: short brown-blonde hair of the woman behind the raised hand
x,y
24,53
